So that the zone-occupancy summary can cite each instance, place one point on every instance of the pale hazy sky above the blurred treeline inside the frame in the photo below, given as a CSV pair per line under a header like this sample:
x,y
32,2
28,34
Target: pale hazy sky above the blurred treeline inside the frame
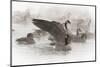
x,y
53,9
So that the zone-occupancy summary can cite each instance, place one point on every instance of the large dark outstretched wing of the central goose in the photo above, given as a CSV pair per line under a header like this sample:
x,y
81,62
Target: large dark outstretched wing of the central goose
x,y
53,27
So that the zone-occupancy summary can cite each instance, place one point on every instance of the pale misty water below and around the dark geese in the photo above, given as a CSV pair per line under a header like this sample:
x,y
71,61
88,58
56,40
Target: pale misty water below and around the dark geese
x,y
42,52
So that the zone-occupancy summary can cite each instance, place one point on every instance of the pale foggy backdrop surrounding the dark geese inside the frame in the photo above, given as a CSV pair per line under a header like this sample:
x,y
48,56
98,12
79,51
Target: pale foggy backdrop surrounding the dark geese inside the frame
x,y
41,51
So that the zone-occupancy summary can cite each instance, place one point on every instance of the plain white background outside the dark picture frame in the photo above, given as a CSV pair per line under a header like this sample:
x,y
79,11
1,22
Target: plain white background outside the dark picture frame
x,y
5,32
